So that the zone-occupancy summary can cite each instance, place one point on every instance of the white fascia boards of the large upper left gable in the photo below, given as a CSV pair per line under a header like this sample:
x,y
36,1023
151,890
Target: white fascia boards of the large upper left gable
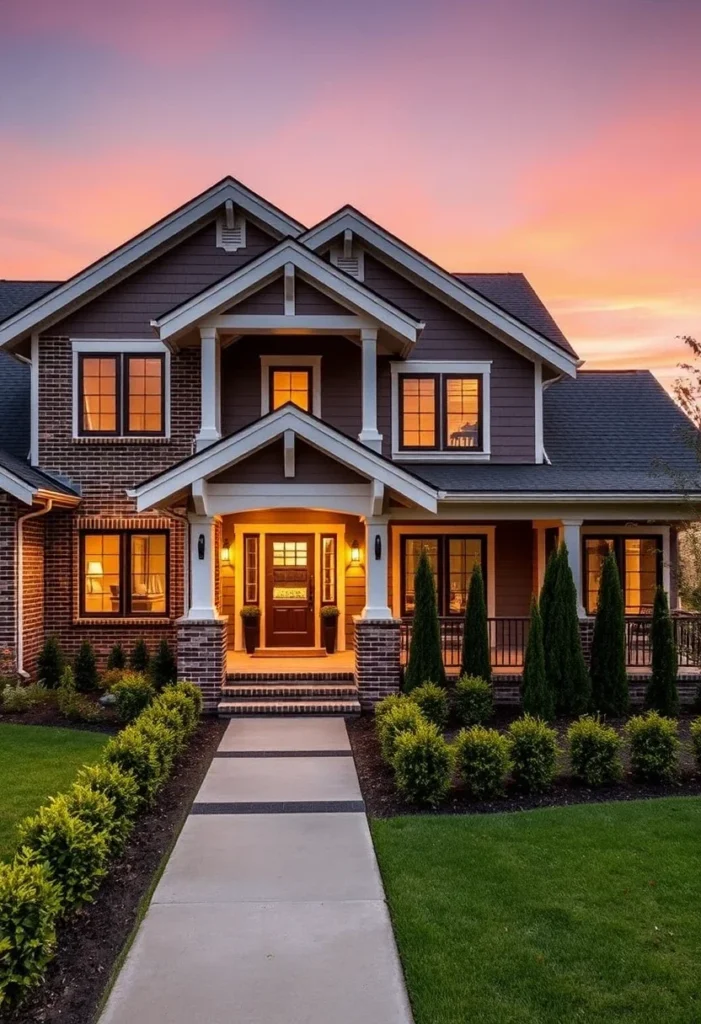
x,y
138,251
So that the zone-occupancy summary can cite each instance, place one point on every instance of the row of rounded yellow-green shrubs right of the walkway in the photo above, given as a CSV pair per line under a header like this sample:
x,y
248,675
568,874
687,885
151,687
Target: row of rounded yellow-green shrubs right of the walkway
x,y
425,764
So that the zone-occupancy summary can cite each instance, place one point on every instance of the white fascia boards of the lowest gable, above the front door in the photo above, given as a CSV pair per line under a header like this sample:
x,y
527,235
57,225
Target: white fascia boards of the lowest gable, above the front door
x,y
224,454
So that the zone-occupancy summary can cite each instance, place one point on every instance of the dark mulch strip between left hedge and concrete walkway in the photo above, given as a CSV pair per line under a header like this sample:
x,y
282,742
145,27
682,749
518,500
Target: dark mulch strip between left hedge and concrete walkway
x,y
92,942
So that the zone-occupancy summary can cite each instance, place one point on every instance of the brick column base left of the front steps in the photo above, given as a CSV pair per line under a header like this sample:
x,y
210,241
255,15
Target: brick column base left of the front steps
x,y
202,657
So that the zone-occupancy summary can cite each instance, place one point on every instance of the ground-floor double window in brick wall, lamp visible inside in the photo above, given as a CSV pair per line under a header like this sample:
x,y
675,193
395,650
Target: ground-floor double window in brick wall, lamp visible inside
x,y
124,574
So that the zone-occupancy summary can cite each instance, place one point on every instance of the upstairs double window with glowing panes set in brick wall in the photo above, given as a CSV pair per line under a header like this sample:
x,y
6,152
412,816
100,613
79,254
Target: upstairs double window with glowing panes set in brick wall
x,y
121,396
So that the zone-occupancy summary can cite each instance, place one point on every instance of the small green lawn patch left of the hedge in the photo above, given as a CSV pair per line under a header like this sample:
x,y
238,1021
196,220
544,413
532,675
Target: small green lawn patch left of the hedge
x,y
37,762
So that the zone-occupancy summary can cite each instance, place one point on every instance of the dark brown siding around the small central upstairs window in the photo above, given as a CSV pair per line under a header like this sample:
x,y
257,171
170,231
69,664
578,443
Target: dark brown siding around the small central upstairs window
x,y
241,379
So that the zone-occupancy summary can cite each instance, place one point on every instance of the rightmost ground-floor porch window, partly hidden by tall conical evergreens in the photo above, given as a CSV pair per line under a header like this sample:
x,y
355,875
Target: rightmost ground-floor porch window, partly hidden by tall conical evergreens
x,y
640,565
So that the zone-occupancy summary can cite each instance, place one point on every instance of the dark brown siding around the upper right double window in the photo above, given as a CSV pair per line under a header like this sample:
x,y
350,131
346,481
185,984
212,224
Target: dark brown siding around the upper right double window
x,y
449,336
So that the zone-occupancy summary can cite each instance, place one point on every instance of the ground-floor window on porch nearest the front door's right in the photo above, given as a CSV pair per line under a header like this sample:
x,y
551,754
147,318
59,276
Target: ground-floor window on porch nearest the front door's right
x,y
453,560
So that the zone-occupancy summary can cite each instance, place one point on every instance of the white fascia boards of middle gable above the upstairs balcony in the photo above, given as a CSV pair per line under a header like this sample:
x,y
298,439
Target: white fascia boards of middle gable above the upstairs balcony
x,y
257,274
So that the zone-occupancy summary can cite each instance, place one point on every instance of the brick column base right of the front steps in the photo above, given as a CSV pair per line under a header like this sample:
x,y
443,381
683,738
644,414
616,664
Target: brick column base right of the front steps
x,y
378,669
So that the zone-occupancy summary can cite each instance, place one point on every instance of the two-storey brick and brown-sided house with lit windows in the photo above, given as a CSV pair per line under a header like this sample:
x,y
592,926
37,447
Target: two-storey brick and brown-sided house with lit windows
x,y
233,409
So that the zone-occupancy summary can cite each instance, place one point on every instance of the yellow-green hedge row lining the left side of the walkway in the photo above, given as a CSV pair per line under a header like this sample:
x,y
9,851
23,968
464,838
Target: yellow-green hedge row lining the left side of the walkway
x,y
66,849
